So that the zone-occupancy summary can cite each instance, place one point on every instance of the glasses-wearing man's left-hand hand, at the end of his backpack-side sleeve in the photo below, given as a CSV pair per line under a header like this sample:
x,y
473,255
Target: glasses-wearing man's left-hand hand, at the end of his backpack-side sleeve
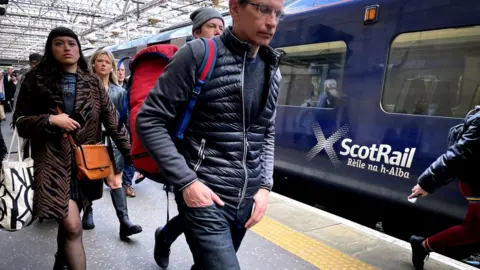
x,y
199,195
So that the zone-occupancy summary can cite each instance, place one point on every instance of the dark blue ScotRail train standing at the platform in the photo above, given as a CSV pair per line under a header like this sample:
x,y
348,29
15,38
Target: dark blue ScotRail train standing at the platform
x,y
369,92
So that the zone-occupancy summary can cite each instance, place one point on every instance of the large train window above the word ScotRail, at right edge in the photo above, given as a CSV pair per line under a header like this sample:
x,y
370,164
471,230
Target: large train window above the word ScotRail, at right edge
x,y
434,73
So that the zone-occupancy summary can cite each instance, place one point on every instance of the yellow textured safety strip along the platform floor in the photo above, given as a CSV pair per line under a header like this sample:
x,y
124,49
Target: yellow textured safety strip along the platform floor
x,y
305,247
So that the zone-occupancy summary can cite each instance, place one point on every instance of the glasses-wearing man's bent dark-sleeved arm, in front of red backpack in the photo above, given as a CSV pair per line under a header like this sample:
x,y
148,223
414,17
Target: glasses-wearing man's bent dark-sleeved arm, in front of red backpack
x,y
159,113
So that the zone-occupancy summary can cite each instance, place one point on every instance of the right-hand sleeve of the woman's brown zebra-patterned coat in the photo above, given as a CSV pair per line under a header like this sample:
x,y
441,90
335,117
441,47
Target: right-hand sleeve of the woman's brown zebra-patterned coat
x,y
109,118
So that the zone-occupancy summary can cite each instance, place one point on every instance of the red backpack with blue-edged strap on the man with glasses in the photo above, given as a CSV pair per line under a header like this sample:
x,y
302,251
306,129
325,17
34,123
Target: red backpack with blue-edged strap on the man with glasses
x,y
149,64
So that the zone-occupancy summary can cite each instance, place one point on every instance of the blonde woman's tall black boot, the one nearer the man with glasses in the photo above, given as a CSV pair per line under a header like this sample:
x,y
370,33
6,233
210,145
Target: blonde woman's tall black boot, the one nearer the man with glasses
x,y
119,200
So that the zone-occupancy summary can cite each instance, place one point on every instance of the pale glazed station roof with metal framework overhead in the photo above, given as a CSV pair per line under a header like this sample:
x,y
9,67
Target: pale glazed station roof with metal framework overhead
x,y
25,26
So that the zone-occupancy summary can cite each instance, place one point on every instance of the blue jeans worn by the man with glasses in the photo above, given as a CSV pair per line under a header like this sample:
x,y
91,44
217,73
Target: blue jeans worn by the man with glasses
x,y
214,234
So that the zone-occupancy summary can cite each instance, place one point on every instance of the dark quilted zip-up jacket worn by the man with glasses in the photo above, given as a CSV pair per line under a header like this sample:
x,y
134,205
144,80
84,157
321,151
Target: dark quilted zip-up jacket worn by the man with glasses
x,y
230,158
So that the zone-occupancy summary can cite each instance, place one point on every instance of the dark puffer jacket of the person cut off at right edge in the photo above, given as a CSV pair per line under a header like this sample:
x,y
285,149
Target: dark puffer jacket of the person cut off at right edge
x,y
459,162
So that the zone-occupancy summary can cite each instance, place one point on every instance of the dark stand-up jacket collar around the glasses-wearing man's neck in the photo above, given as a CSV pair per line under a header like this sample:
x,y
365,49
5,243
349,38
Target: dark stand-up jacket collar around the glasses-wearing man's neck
x,y
239,47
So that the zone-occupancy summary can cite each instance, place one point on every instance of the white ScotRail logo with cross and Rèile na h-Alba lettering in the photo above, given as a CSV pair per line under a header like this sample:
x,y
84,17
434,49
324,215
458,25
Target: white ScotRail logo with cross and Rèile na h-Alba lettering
x,y
378,158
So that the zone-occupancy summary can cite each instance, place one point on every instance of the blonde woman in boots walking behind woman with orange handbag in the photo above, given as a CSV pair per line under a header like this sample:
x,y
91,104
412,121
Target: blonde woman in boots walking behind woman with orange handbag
x,y
102,63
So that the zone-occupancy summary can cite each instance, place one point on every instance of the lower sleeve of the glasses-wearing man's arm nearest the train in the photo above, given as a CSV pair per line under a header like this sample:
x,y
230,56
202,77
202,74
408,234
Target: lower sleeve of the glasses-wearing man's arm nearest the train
x,y
268,150
